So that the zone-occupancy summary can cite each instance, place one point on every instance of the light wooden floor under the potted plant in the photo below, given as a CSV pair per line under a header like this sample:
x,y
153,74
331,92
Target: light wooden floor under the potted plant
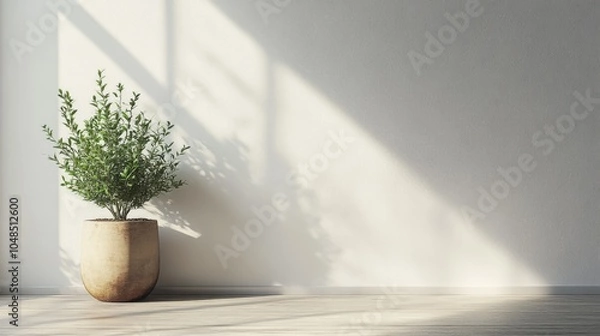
x,y
308,315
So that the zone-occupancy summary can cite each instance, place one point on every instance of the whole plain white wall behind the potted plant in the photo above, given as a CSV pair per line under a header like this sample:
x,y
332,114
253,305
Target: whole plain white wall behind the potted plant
x,y
258,90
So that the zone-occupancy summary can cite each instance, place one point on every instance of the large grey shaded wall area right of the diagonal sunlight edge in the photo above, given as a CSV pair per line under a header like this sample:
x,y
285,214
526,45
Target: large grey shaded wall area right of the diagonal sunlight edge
x,y
474,109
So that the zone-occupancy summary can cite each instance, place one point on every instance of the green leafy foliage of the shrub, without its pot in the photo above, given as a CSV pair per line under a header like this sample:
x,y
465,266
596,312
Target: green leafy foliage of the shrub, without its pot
x,y
119,159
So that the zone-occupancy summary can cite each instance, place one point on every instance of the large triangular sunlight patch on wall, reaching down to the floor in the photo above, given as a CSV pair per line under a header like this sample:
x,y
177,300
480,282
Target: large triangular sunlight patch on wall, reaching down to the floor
x,y
388,224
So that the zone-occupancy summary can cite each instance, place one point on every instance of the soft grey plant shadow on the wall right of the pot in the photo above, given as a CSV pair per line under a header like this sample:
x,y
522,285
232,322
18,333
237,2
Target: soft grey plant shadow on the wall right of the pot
x,y
231,225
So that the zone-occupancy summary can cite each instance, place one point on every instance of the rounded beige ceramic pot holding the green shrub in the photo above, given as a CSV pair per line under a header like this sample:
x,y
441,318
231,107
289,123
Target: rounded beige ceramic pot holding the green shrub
x,y
120,259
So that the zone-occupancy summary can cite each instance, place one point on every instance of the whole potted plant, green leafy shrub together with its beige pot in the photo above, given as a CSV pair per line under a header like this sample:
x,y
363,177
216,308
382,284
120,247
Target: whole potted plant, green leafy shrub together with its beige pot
x,y
117,159
